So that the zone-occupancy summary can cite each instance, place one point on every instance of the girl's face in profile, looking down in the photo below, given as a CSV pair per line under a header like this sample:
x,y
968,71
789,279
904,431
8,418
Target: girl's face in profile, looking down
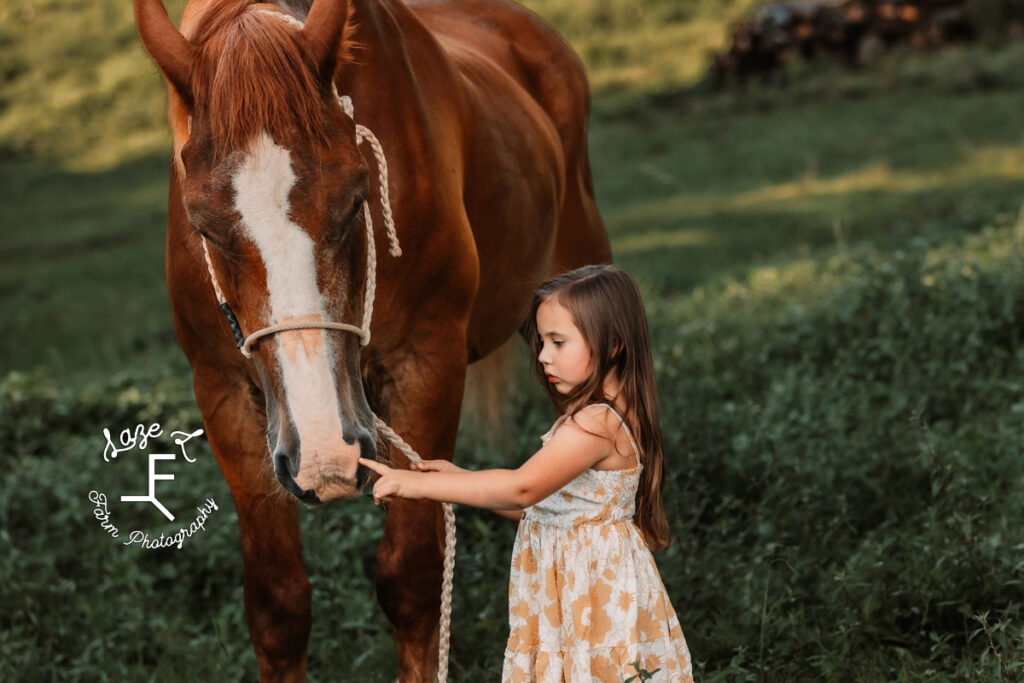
x,y
565,354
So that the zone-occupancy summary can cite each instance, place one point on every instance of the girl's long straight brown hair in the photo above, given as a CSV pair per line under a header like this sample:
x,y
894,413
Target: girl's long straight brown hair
x,y
608,309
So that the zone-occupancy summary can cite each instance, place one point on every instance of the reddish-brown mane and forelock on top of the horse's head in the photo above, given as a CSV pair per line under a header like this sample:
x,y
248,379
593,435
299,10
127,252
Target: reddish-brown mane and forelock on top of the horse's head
x,y
252,73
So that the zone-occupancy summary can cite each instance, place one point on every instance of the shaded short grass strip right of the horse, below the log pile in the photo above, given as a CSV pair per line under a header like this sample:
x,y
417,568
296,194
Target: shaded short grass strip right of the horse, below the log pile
x,y
737,189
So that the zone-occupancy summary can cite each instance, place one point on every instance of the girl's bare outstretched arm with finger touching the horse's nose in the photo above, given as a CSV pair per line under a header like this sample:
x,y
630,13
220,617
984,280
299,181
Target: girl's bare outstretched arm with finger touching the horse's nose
x,y
570,452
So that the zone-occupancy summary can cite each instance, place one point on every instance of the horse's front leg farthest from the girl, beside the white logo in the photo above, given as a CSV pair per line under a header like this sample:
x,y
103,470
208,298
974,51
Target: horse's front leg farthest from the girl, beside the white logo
x,y
278,596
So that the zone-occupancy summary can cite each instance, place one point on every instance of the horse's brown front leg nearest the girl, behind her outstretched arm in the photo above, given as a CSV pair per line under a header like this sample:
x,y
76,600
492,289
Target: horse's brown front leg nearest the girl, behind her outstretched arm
x,y
424,409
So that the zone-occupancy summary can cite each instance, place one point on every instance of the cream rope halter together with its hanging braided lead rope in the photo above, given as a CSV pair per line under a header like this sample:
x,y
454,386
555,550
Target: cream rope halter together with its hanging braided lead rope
x,y
245,346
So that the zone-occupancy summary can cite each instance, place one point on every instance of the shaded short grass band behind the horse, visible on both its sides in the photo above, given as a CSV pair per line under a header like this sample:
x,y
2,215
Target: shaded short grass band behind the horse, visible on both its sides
x,y
692,184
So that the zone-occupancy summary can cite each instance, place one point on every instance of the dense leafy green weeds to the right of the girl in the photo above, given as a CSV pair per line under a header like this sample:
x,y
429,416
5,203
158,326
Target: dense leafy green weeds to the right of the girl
x,y
847,476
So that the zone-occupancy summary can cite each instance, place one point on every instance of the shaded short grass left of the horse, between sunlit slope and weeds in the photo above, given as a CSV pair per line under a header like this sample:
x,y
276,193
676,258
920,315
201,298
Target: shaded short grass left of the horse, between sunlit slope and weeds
x,y
82,278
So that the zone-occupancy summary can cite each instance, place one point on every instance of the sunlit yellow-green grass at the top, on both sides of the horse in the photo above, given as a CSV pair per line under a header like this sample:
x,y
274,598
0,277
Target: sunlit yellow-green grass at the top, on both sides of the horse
x,y
82,94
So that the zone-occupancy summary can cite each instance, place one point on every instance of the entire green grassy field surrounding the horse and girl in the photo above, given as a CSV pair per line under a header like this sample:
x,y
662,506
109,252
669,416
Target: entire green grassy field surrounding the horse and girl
x,y
835,281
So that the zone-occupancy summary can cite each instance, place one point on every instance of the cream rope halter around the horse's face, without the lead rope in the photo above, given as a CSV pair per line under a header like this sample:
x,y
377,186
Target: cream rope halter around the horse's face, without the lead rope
x,y
245,344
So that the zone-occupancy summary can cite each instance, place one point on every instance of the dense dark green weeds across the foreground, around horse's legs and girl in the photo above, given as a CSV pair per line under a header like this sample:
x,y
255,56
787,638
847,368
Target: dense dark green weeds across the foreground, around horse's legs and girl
x,y
843,433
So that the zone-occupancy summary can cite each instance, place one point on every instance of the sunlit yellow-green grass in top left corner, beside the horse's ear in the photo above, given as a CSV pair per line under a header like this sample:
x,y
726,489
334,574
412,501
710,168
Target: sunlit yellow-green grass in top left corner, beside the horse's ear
x,y
81,93
